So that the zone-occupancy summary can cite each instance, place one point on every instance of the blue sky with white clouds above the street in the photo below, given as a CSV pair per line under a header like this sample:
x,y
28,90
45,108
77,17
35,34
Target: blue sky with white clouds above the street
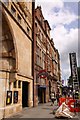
x,y
64,21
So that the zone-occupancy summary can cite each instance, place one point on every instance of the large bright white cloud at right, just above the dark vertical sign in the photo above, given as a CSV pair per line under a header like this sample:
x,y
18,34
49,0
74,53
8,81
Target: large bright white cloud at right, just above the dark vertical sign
x,y
65,39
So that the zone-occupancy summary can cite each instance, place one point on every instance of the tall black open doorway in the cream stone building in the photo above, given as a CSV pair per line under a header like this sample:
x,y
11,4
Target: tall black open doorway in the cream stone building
x,y
25,94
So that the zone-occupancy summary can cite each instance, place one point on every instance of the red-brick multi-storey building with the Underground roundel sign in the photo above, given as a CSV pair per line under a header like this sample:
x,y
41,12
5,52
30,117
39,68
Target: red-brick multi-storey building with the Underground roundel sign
x,y
46,60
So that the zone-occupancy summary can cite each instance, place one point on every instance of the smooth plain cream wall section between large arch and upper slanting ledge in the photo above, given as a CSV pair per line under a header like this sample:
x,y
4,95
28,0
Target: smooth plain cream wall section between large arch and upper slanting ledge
x,y
24,49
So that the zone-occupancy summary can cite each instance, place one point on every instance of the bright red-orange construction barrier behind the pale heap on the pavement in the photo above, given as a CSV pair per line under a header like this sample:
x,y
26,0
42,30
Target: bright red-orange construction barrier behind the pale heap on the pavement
x,y
72,103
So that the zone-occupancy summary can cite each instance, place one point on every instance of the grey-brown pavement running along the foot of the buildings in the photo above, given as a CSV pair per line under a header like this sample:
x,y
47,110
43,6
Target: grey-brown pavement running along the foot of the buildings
x,y
41,111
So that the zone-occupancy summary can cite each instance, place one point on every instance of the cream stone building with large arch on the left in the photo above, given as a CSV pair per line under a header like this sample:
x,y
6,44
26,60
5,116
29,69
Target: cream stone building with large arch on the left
x,y
16,81
